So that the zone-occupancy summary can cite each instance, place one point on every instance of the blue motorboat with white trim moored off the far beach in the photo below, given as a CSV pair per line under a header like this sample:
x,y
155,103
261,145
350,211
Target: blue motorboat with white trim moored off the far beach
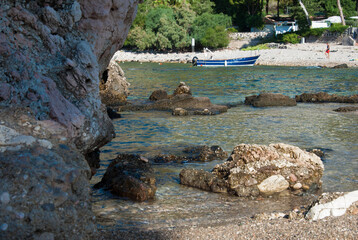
x,y
245,61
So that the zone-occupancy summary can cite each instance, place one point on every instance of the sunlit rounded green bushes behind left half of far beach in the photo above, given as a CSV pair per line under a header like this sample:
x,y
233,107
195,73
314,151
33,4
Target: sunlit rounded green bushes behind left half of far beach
x,y
170,25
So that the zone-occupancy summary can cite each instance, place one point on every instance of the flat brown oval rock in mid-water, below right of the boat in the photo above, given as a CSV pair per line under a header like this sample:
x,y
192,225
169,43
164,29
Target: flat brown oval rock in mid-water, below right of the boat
x,y
270,99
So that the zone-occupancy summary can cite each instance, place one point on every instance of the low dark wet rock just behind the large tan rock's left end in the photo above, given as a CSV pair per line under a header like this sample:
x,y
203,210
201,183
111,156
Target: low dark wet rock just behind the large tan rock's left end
x,y
196,153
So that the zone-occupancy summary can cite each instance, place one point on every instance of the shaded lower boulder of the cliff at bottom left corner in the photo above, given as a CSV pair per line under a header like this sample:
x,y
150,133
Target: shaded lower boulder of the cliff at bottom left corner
x,y
44,182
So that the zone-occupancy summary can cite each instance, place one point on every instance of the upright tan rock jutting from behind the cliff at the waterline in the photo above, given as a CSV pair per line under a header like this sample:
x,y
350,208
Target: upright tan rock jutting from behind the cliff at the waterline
x,y
114,87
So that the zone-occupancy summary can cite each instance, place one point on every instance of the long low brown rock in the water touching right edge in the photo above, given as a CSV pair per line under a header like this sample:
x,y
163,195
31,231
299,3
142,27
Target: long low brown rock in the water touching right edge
x,y
322,97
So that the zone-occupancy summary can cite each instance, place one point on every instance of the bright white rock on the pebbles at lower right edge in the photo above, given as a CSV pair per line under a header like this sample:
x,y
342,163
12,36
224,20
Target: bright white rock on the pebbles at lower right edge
x,y
332,205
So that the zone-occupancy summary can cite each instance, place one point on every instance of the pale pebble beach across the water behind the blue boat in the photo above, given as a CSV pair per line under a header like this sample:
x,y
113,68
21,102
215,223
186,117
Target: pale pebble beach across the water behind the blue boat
x,y
308,54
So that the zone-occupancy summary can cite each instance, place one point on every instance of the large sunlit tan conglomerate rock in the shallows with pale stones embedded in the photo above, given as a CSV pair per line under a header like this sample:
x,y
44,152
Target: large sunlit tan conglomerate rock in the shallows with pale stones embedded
x,y
254,170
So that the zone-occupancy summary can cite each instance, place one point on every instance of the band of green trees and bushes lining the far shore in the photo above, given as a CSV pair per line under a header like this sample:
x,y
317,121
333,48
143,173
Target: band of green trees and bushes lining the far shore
x,y
171,24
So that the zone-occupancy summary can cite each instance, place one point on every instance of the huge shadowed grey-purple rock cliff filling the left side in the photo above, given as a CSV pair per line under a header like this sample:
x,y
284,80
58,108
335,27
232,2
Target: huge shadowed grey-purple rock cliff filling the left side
x,y
52,54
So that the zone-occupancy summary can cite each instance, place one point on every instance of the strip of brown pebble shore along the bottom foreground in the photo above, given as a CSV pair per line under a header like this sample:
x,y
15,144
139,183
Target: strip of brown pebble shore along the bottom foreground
x,y
344,227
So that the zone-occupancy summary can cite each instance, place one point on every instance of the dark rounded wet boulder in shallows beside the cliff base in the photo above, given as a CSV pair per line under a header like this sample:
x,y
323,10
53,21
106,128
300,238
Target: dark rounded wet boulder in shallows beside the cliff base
x,y
129,176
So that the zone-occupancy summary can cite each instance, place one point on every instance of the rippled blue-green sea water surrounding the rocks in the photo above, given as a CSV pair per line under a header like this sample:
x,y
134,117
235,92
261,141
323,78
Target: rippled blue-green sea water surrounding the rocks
x,y
305,126
